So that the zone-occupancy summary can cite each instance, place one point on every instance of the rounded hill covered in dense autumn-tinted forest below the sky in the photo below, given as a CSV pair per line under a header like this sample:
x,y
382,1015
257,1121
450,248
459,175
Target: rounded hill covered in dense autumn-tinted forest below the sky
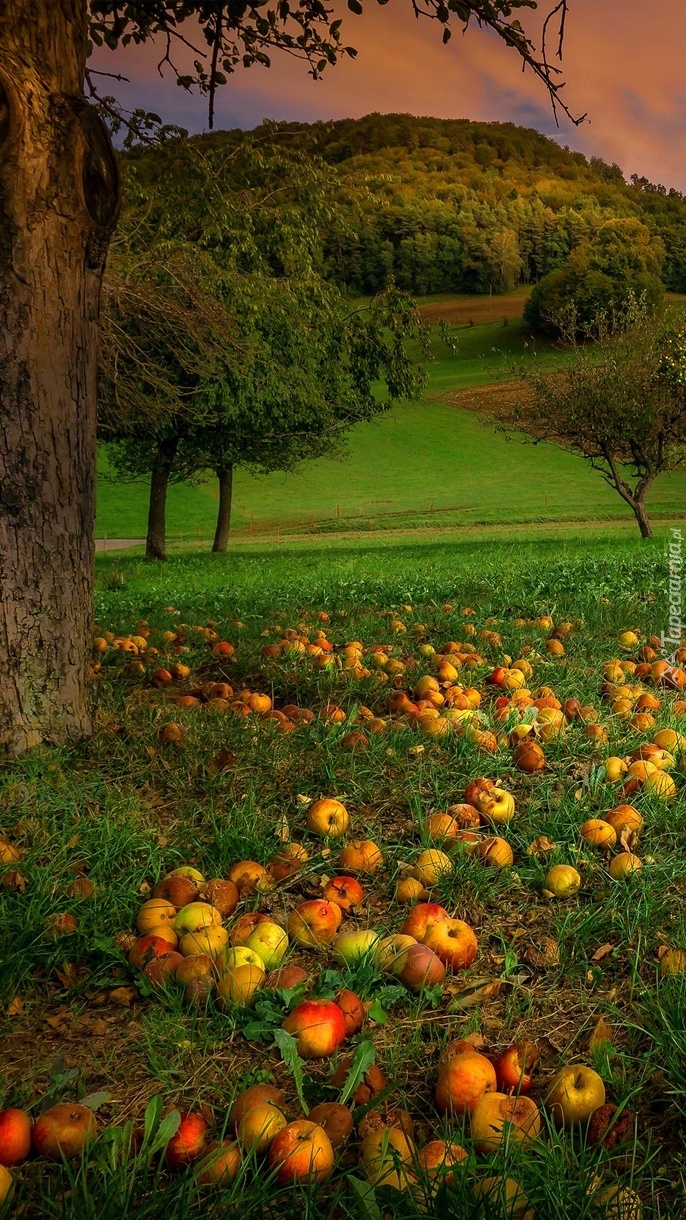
x,y
458,207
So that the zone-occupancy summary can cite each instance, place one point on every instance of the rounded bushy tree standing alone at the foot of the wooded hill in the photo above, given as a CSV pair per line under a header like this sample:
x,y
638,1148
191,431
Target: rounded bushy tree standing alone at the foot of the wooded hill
x,y
622,262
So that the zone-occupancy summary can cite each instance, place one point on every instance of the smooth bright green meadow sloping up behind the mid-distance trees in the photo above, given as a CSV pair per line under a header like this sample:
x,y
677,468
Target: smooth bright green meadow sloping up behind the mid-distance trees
x,y
424,465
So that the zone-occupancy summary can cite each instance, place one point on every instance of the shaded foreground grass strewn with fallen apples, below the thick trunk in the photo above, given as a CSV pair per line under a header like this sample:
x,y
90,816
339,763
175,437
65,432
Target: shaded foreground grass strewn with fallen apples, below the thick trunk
x,y
98,825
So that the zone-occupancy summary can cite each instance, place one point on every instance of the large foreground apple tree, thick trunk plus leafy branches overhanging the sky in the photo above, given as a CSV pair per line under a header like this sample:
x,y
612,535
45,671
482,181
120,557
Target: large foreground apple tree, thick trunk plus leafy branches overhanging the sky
x,y
59,207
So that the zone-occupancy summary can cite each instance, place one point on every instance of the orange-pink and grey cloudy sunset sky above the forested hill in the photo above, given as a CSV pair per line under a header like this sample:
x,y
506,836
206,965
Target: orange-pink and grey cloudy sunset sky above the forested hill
x,y
622,68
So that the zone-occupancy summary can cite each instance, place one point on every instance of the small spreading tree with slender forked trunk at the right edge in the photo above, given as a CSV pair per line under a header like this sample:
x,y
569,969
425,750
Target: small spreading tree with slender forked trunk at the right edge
x,y
621,404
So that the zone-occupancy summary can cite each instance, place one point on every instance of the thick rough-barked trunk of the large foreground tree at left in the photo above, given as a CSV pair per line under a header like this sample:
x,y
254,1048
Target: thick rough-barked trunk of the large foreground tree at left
x,y
59,202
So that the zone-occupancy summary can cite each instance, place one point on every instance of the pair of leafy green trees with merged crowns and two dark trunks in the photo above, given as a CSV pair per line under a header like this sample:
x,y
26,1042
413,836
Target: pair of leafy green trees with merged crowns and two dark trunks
x,y
224,346
